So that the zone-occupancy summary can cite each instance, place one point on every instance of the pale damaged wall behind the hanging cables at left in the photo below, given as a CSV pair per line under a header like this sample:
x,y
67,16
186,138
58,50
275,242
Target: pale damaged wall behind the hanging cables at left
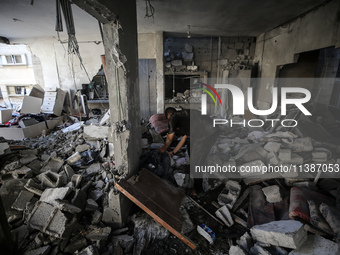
x,y
61,70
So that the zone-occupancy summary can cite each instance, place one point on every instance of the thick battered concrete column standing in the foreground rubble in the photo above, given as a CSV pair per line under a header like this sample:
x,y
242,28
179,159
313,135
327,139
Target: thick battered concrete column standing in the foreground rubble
x,y
120,43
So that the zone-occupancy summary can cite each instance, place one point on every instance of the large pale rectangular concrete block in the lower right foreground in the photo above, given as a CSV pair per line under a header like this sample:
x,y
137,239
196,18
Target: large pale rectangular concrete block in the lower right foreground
x,y
284,233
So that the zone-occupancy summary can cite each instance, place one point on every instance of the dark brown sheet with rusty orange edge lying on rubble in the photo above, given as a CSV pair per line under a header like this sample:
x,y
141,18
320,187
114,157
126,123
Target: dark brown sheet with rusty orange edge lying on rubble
x,y
158,199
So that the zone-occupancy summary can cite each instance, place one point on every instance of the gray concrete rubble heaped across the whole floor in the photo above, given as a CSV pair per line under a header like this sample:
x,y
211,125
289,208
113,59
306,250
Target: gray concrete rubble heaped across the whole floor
x,y
60,196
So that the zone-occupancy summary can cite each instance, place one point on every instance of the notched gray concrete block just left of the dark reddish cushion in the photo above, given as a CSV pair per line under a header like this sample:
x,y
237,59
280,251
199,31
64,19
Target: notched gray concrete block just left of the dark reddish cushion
x,y
229,194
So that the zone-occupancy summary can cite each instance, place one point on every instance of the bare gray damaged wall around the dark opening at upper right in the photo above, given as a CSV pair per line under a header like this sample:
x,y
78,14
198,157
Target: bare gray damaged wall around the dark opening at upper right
x,y
315,30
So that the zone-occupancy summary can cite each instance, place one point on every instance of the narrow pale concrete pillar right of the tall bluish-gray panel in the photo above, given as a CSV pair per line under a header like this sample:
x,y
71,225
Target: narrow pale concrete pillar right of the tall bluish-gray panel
x,y
160,72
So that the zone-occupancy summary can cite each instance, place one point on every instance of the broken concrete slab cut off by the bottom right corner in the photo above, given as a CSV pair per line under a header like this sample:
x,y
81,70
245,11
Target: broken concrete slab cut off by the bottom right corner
x,y
317,245
